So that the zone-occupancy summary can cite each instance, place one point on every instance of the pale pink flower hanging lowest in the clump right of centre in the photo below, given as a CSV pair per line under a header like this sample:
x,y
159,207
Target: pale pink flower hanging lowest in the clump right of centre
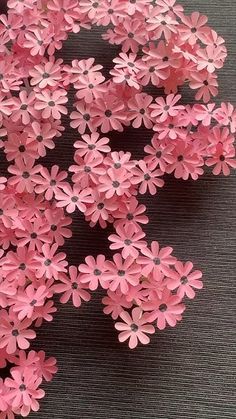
x,y
134,328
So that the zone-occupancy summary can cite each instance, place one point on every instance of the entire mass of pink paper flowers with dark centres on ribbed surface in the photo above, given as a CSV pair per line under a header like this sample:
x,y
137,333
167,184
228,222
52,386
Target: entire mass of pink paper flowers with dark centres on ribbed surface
x,y
145,283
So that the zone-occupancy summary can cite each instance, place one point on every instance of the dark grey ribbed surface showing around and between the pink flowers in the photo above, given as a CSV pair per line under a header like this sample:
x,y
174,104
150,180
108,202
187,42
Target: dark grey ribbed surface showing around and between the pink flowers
x,y
186,372
